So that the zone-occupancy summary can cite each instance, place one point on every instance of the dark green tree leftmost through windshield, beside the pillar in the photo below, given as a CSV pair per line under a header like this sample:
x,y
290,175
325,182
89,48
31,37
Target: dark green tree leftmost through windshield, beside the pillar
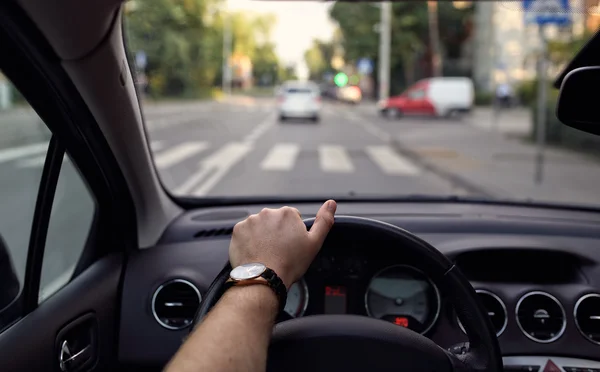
x,y
181,52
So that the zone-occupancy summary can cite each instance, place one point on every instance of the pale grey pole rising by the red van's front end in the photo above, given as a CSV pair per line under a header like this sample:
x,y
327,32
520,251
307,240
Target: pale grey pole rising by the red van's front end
x,y
385,41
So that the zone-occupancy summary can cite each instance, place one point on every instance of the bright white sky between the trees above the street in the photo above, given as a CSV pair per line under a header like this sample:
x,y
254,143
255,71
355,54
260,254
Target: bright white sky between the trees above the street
x,y
298,23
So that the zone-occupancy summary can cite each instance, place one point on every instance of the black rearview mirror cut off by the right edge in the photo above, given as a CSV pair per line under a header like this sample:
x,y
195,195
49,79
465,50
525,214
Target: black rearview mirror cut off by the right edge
x,y
576,107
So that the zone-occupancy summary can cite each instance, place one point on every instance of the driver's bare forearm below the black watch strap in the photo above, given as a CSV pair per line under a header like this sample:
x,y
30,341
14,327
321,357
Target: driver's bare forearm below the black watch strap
x,y
234,336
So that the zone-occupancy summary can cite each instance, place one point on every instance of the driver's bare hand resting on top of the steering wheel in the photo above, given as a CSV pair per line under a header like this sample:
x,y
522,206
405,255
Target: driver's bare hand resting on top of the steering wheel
x,y
278,239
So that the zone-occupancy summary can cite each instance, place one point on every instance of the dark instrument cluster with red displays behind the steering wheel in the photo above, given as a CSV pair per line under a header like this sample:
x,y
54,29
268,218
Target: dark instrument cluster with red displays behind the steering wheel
x,y
397,293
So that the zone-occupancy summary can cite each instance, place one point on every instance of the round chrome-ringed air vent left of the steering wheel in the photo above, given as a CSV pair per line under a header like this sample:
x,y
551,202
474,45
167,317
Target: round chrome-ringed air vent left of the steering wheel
x,y
175,303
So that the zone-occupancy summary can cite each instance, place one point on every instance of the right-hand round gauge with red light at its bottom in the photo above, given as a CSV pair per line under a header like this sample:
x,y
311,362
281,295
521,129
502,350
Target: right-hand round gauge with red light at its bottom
x,y
405,296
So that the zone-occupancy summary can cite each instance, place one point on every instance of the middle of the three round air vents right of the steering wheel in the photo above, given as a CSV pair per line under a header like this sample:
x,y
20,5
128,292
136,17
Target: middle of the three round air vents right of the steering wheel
x,y
541,317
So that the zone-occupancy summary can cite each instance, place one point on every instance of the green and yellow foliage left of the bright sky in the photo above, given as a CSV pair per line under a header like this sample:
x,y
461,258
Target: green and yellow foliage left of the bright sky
x,y
183,41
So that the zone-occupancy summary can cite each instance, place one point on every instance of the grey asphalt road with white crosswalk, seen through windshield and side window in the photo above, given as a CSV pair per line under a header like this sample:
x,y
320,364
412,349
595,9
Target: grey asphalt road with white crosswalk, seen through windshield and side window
x,y
235,148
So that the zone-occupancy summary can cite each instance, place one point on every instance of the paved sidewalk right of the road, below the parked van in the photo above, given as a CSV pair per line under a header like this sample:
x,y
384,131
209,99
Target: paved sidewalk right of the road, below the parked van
x,y
491,162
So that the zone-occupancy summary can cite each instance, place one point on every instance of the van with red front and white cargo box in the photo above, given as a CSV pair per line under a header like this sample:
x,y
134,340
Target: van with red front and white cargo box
x,y
440,96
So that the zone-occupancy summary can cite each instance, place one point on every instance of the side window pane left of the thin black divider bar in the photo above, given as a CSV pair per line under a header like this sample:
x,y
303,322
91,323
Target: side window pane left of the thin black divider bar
x,y
24,140
